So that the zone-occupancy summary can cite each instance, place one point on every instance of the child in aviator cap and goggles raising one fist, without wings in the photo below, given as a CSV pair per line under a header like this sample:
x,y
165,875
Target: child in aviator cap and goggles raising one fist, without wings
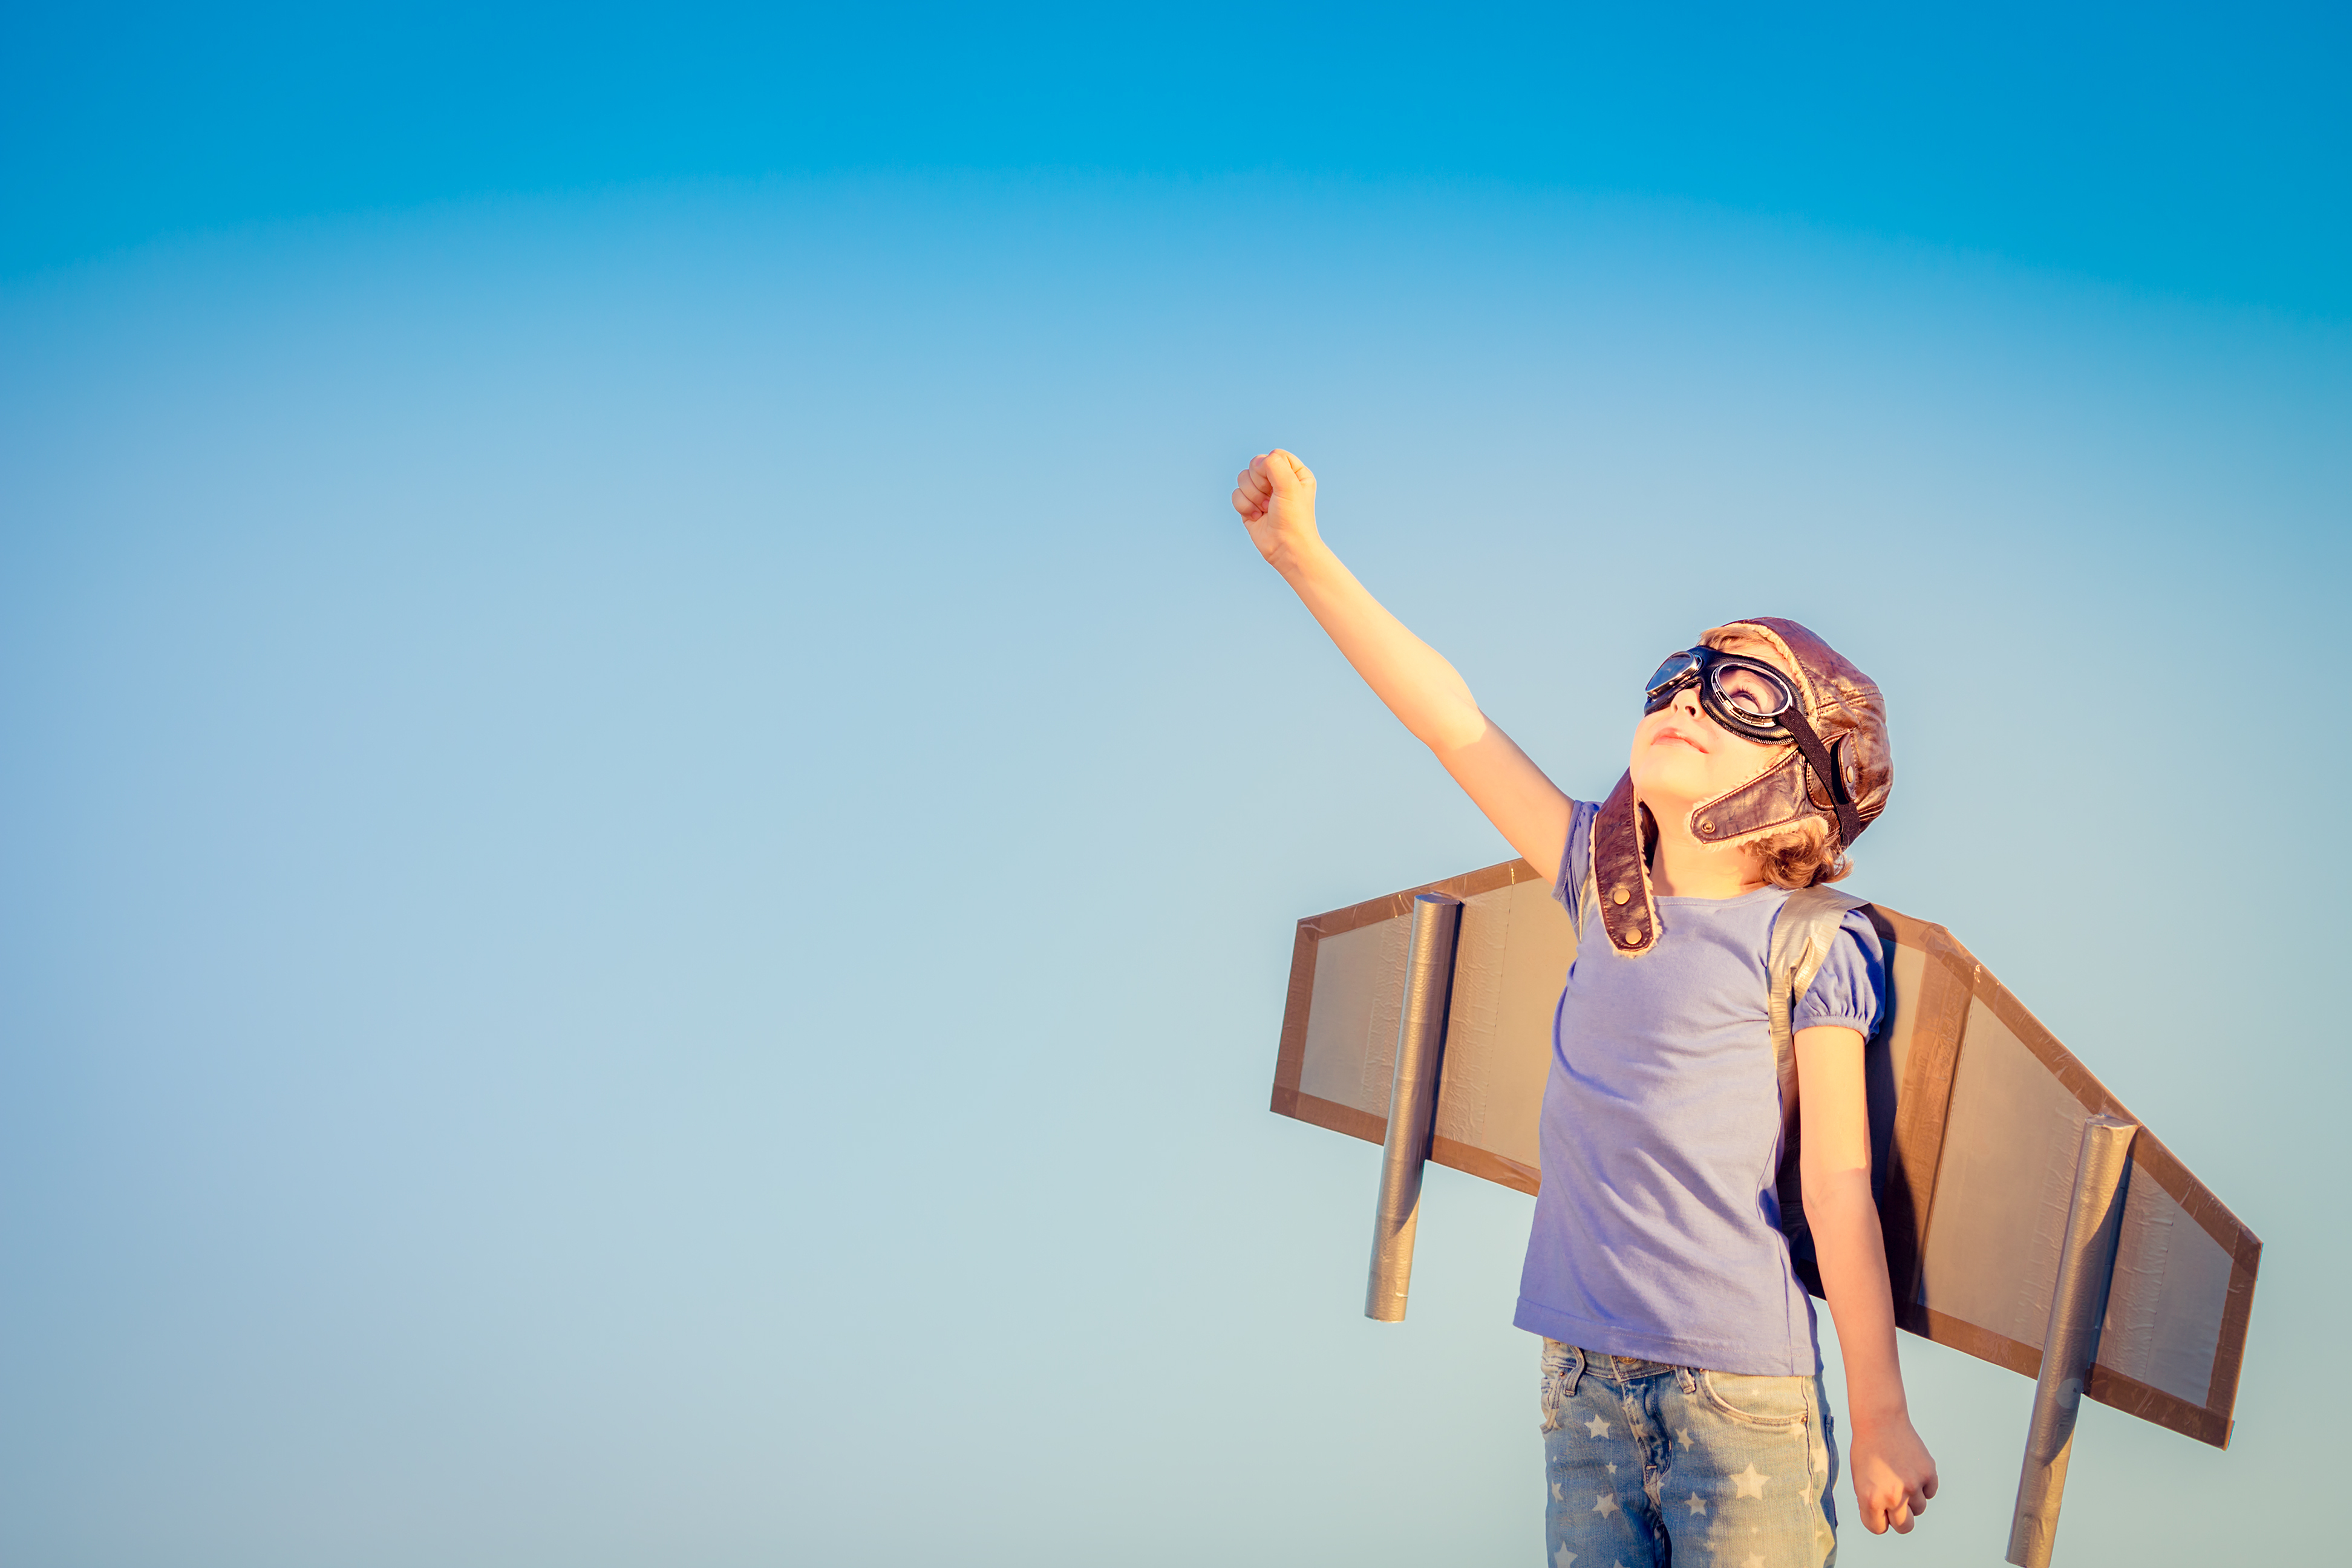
x,y
1683,1402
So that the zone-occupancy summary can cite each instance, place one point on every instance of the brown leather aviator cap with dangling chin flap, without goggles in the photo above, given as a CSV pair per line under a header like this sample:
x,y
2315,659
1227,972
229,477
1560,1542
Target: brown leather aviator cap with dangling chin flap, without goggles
x,y
1840,770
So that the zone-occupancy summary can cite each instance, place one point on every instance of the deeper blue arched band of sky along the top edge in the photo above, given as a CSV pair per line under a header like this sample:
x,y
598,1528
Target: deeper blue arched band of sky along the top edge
x,y
2184,149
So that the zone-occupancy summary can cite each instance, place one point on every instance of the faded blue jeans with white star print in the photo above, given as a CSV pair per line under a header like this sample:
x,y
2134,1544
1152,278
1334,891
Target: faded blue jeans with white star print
x,y
1652,1466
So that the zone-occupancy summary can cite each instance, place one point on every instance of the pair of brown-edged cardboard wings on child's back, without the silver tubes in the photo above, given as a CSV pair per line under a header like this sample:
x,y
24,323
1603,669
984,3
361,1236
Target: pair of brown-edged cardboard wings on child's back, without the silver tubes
x,y
1977,1123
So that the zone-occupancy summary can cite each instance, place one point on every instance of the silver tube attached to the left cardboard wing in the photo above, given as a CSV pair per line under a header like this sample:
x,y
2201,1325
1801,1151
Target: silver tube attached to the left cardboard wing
x,y
1412,1104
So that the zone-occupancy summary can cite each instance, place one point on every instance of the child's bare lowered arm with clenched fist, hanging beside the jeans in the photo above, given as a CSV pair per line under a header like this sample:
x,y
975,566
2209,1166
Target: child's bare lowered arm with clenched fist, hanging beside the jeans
x,y
1890,1466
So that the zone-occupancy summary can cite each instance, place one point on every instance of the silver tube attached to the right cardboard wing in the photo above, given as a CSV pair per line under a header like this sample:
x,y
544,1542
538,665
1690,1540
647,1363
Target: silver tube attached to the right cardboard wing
x,y
2078,1304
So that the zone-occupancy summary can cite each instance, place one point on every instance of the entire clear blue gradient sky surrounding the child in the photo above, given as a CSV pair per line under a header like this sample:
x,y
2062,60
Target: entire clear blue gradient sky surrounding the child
x,y
650,808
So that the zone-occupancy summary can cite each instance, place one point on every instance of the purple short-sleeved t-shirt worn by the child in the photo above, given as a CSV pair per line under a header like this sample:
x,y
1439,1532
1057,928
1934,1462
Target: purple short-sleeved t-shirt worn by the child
x,y
1659,1221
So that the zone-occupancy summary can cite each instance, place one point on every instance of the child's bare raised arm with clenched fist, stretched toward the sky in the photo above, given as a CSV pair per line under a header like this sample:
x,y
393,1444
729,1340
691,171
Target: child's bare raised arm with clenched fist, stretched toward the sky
x,y
1276,500
